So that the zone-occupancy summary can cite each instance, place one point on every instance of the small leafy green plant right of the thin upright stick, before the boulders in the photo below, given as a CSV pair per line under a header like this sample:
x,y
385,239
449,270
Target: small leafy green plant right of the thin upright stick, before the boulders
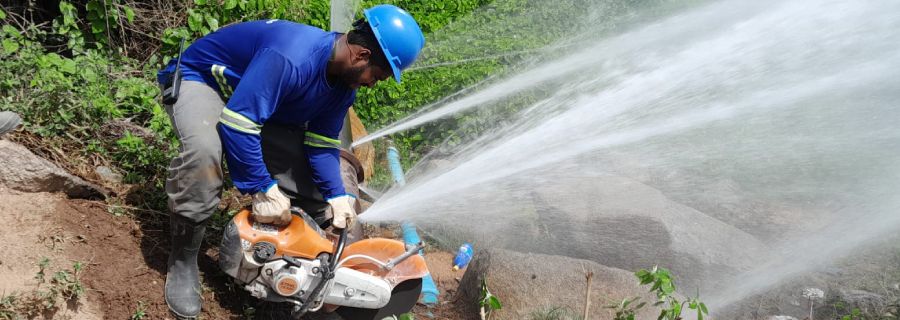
x,y
663,285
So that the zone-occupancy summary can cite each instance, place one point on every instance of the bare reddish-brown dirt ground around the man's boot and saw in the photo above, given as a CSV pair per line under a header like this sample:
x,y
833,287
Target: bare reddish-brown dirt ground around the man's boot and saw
x,y
124,263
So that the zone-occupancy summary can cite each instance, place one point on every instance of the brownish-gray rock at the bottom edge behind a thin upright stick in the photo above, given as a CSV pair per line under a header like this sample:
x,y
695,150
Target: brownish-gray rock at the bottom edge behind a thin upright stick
x,y
527,283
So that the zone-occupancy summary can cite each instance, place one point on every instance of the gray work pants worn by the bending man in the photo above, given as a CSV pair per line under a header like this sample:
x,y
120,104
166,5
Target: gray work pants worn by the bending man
x,y
195,178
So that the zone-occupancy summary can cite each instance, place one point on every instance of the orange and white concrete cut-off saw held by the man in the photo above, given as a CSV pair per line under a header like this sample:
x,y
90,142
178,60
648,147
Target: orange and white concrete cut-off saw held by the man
x,y
368,279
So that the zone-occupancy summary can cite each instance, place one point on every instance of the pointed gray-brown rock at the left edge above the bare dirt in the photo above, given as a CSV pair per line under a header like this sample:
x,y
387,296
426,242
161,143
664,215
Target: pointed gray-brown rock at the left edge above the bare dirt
x,y
22,170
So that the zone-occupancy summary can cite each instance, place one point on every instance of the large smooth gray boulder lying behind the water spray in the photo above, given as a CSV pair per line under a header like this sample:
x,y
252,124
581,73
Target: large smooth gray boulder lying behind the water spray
x,y
612,220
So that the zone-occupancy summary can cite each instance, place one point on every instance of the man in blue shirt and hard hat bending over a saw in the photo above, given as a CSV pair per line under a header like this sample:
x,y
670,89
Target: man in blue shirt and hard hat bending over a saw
x,y
277,93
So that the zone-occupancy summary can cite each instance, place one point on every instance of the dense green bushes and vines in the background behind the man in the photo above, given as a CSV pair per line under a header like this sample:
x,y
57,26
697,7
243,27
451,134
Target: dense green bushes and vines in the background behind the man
x,y
82,74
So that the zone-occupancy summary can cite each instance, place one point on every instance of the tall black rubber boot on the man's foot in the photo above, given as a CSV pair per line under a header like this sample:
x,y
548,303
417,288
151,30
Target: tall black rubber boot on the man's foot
x,y
183,277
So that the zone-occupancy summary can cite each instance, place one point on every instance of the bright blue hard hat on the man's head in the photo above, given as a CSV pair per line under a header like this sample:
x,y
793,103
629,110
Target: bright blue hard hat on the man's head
x,y
399,35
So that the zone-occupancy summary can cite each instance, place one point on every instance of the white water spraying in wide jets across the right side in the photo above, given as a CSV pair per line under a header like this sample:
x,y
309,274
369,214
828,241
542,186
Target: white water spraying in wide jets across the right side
x,y
756,138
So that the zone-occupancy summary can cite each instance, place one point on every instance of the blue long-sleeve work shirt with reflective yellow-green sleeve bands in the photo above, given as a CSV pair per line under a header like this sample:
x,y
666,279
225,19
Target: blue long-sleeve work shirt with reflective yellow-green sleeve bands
x,y
272,72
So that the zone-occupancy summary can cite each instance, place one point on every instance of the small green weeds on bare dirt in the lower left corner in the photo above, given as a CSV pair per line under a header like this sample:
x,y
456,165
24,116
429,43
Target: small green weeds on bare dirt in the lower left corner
x,y
47,296
